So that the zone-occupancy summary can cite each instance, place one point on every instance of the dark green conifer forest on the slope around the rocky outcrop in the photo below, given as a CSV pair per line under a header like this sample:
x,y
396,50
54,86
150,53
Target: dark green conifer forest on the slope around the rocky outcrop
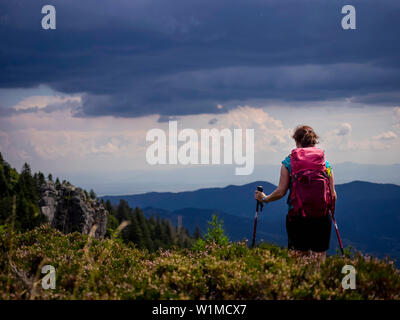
x,y
21,193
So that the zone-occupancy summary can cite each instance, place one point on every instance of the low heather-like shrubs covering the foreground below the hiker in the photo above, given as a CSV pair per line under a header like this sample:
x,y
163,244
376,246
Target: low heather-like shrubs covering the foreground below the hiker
x,y
109,269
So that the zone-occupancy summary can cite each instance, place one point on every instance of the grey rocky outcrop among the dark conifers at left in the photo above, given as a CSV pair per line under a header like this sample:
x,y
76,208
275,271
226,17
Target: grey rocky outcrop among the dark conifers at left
x,y
70,209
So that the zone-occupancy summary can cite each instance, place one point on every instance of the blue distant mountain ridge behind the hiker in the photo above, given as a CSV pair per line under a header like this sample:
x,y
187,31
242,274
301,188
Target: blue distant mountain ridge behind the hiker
x,y
367,213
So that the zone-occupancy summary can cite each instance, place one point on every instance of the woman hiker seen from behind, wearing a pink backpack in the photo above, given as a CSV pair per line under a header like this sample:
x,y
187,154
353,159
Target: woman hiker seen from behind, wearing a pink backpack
x,y
309,177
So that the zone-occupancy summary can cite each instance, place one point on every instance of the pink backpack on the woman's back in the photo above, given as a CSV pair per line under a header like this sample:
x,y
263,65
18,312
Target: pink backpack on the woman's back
x,y
310,194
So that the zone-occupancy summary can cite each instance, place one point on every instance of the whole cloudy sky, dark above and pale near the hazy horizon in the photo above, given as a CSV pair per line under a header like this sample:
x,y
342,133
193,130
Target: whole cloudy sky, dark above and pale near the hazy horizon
x,y
82,97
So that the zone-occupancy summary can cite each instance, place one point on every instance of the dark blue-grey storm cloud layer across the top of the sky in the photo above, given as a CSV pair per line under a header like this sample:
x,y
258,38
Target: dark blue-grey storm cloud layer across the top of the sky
x,y
176,57
